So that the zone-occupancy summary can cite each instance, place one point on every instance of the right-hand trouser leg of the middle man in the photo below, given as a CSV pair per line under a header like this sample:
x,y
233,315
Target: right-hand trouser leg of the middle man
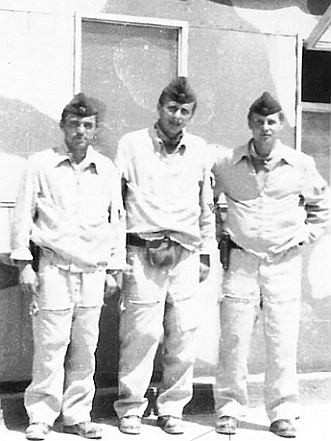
x,y
181,320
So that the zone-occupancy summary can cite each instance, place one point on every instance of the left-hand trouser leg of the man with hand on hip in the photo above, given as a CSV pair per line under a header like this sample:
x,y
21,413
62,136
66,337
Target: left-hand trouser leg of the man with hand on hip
x,y
238,311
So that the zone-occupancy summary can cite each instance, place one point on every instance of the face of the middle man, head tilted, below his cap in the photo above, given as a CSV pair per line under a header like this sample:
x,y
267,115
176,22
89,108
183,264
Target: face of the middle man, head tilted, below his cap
x,y
174,116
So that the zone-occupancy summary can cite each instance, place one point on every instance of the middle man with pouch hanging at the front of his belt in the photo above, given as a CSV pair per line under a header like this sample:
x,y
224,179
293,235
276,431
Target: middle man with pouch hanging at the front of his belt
x,y
168,199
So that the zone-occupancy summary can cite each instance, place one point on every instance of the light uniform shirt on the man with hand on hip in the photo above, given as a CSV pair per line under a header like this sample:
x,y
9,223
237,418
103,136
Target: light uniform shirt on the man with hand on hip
x,y
283,204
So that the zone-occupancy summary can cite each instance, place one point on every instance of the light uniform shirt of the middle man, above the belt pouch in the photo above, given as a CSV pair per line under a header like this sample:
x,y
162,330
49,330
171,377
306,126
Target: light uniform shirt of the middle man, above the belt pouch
x,y
168,193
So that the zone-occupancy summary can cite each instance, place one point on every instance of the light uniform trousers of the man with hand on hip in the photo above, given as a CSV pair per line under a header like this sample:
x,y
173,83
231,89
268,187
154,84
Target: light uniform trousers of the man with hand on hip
x,y
276,285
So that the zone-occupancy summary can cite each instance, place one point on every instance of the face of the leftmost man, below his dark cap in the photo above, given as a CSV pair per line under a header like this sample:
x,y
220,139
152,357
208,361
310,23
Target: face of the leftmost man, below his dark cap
x,y
79,133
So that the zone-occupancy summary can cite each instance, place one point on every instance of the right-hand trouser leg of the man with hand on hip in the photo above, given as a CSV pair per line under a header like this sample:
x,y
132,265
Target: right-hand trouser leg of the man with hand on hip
x,y
281,294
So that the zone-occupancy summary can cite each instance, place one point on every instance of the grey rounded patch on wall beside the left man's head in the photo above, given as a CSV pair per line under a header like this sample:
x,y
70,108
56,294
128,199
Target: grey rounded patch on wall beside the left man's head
x,y
24,129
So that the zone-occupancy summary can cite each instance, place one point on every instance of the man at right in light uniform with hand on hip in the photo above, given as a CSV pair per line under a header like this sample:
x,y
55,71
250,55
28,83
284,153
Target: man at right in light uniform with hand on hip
x,y
276,202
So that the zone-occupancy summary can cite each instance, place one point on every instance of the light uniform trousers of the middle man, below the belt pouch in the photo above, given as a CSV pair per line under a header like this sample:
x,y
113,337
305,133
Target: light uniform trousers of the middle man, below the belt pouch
x,y
158,304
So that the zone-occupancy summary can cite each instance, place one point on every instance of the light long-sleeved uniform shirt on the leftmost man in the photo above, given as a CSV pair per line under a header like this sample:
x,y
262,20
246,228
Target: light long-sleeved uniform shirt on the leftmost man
x,y
72,210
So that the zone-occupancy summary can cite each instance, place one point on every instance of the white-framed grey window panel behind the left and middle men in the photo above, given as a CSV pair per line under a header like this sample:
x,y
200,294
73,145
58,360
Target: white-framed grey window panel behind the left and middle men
x,y
125,62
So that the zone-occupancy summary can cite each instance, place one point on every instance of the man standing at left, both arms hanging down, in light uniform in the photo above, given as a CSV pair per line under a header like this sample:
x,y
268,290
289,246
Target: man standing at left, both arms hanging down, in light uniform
x,y
70,206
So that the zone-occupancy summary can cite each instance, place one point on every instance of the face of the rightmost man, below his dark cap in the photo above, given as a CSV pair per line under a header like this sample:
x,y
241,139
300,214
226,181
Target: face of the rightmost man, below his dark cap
x,y
265,130
